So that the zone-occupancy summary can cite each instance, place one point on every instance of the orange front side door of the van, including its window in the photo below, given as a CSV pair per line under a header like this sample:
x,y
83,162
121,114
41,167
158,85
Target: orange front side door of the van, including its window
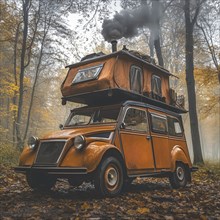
x,y
136,141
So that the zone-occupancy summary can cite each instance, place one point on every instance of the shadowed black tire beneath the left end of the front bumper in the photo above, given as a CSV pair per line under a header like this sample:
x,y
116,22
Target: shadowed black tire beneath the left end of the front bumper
x,y
40,182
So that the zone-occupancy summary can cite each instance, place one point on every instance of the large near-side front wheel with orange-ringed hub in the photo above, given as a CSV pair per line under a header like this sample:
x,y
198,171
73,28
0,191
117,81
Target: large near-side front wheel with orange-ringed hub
x,y
109,178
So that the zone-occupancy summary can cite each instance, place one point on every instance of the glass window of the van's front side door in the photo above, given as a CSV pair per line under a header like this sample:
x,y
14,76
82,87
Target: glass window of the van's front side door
x,y
136,119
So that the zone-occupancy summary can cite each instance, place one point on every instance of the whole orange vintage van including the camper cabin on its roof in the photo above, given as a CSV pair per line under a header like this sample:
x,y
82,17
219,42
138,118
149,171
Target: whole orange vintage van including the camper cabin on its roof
x,y
130,127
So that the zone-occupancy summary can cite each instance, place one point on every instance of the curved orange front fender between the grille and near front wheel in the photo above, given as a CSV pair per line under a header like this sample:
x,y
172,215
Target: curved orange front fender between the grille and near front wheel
x,y
90,157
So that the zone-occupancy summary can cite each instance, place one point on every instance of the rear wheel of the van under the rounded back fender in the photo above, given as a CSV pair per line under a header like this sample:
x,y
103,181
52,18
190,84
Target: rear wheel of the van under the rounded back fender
x,y
178,179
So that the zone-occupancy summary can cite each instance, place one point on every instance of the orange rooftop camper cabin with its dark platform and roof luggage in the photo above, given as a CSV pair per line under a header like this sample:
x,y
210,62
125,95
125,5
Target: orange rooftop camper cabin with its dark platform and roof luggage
x,y
119,76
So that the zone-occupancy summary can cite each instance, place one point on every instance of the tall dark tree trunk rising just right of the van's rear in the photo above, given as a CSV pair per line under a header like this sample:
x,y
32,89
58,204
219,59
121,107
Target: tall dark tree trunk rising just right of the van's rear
x,y
190,81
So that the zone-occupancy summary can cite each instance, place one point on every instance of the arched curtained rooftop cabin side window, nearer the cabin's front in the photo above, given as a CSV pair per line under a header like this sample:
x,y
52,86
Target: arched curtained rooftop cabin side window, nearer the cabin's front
x,y
136,79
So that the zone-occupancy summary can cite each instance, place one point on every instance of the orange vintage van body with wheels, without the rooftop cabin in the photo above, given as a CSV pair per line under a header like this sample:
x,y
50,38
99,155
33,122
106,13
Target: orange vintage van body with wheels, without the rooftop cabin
x,y
110,145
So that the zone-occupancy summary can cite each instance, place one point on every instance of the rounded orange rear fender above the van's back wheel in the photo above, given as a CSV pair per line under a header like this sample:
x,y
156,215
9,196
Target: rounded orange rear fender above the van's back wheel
x,y
177,154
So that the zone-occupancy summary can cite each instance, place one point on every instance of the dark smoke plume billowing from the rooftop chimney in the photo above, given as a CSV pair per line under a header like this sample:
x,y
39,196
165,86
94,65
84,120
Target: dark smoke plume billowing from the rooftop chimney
x,y
126,23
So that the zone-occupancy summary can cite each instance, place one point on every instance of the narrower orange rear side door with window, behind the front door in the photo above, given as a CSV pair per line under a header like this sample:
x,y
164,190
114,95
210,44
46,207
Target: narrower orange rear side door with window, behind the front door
x,y
160,141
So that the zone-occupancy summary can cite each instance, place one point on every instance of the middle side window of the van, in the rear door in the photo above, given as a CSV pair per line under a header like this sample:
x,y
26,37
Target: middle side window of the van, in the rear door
x,y
159,123
